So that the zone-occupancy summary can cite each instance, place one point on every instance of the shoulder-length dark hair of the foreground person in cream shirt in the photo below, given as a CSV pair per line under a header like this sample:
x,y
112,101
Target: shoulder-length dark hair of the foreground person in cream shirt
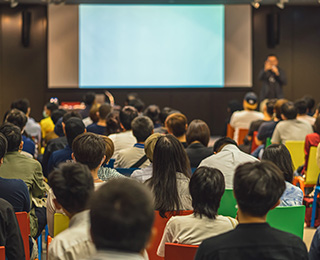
x,y
206,188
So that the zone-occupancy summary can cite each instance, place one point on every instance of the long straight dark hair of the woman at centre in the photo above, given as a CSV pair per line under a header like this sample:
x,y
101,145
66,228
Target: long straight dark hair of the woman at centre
x,y
169,157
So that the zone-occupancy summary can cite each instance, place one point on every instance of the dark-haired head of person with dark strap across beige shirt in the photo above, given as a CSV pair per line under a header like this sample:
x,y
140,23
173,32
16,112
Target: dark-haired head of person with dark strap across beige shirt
x,y
142,128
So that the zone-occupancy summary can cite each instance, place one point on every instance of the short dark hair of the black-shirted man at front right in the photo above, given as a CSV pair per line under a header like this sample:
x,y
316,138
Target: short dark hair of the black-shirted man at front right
x,y
258,187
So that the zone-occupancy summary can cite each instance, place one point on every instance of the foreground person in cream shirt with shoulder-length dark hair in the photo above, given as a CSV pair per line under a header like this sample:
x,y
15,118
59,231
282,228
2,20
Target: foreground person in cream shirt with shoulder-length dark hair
x,y
206,189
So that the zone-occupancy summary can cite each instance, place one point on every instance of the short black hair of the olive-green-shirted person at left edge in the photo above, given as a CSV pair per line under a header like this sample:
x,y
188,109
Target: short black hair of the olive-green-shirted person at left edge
x,y
13,135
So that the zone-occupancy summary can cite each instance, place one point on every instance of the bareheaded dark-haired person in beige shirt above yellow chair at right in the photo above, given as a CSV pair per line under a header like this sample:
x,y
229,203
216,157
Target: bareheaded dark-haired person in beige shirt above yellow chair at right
x,y
290,128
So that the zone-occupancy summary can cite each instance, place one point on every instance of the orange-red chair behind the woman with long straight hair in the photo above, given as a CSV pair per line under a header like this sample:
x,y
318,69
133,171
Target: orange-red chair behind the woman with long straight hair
x,y
160,224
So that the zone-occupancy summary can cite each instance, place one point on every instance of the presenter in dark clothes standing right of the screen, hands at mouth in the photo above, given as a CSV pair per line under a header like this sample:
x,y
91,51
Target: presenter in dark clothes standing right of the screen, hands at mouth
x,y
273,78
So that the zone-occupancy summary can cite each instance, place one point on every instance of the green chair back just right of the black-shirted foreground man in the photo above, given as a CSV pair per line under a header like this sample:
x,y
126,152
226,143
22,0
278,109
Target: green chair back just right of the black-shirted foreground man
x,y
289,219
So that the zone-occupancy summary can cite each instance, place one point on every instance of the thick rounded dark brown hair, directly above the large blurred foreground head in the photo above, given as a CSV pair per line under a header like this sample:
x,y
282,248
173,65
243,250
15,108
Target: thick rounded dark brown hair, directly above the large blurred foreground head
x,y
89,149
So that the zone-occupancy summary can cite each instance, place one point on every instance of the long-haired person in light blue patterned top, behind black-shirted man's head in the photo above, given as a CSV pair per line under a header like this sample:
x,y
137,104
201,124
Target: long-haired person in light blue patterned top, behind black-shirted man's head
x,y
280,156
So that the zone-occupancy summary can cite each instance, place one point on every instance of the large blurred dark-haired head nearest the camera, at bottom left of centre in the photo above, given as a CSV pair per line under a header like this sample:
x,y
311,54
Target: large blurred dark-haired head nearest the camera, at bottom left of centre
x,y
124,220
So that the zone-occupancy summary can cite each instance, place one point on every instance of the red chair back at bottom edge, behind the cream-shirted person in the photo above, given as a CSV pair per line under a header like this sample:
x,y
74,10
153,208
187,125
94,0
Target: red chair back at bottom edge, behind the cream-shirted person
x,y
180,251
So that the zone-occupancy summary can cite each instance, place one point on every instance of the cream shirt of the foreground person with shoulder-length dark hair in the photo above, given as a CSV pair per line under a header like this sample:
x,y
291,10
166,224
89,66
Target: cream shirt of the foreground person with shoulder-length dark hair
x,y
192,230
